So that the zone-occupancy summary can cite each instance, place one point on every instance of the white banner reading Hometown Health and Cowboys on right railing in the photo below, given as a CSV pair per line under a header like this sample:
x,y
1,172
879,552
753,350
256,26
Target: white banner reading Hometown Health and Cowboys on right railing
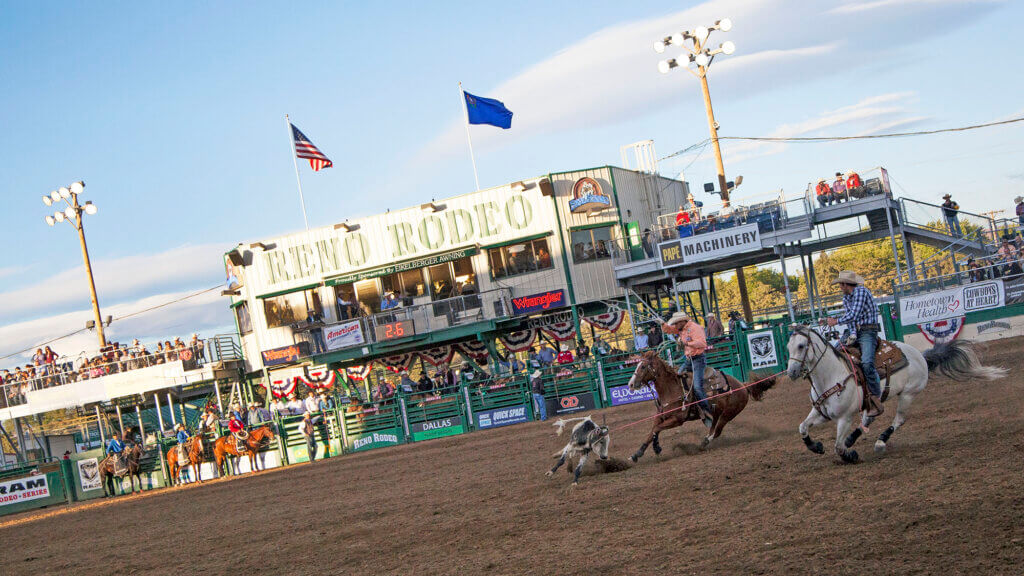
x,y
952,303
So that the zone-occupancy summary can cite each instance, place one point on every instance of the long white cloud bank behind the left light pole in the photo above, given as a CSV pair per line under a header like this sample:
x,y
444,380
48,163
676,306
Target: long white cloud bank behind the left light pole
x,y
116,280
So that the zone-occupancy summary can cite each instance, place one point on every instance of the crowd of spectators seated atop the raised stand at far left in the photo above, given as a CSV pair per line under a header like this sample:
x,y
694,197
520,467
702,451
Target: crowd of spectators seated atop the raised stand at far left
x,y
48,369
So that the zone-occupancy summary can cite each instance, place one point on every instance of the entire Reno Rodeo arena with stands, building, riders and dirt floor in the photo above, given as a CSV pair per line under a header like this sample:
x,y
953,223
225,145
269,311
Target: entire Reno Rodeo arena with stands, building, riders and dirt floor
x,y
538,378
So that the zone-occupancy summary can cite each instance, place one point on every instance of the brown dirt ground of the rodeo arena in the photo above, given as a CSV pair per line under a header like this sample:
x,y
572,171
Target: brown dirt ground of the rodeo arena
x,y
947,499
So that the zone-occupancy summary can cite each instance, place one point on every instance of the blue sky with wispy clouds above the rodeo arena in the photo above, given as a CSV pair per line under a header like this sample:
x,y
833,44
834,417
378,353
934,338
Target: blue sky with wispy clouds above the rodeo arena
x,y
174,115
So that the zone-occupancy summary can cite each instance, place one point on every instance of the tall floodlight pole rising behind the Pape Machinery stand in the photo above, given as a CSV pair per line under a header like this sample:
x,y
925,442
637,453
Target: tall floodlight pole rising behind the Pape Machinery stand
x,y
696,44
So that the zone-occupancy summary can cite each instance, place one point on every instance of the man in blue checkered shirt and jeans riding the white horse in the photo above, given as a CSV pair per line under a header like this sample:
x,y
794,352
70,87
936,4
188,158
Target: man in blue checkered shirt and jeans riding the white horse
x,y
862,315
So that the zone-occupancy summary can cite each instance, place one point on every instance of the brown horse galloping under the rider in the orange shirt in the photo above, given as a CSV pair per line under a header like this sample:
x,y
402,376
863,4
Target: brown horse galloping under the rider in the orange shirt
x,y
675,392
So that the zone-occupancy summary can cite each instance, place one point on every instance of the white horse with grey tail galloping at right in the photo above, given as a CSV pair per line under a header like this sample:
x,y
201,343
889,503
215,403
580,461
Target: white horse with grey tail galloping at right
x,y
836,396
